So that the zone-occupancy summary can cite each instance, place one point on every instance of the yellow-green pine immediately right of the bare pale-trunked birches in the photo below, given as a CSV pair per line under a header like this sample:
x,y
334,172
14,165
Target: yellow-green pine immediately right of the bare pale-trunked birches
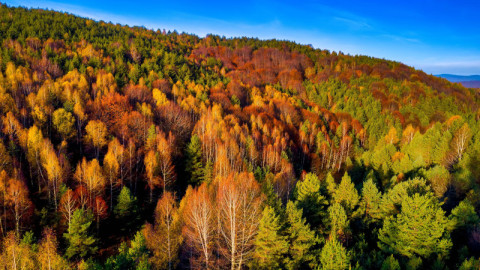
x,y
270,245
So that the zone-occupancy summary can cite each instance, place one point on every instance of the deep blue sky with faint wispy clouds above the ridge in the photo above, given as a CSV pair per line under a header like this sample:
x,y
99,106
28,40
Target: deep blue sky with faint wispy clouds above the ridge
x,y
437,36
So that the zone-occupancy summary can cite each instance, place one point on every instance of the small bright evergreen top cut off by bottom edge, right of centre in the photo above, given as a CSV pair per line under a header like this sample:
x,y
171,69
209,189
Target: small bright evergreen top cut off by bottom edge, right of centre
x,y
334,256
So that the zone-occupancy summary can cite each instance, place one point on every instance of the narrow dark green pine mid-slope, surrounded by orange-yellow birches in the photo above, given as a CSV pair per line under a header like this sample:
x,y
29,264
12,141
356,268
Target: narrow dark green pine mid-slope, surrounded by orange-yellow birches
x,y
194,163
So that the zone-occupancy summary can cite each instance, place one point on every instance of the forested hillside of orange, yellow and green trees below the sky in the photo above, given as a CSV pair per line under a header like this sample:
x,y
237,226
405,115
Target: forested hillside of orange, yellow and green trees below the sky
x,y
128,148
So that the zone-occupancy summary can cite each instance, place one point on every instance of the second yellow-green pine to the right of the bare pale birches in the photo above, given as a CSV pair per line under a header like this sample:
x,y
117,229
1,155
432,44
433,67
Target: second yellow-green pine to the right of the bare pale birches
x,y
300,237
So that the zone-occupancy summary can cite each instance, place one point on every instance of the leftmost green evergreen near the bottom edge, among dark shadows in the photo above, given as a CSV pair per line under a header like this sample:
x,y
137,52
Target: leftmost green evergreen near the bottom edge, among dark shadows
x,y
80,242
